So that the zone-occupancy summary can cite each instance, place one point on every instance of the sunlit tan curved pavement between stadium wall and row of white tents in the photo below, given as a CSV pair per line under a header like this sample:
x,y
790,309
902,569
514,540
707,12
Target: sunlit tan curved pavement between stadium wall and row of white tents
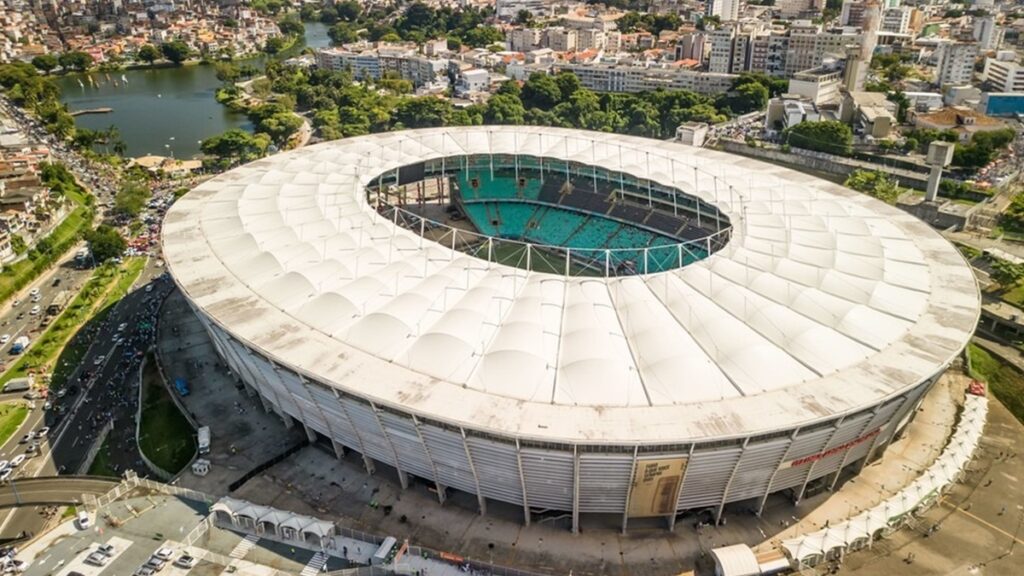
x,y
904,463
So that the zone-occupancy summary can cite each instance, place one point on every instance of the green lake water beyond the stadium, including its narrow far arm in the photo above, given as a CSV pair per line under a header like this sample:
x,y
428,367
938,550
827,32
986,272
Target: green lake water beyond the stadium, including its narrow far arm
x,y
163,111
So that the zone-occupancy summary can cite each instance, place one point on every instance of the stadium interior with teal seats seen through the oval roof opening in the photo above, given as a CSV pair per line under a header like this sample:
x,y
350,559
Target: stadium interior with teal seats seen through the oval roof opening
x,y
550,216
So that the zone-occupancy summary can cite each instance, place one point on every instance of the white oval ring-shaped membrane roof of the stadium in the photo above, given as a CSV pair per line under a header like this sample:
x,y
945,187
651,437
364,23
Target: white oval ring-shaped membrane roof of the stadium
x,y
825,302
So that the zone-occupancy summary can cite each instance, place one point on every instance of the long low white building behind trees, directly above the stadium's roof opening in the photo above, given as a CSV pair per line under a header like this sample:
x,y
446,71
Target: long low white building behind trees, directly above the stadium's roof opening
x,y
628,78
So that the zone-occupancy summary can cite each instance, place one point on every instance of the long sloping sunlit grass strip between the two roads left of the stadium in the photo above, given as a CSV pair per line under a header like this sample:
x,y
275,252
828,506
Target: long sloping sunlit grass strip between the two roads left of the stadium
x,y
107,282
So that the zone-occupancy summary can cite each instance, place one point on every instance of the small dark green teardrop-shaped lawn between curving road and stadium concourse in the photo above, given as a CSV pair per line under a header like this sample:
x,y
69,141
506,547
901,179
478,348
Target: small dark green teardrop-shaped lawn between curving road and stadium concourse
x,y
165,436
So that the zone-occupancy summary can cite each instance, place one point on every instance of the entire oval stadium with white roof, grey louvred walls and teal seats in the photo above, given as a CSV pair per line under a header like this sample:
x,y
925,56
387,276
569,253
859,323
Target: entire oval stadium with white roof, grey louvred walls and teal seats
x,y
582,325
